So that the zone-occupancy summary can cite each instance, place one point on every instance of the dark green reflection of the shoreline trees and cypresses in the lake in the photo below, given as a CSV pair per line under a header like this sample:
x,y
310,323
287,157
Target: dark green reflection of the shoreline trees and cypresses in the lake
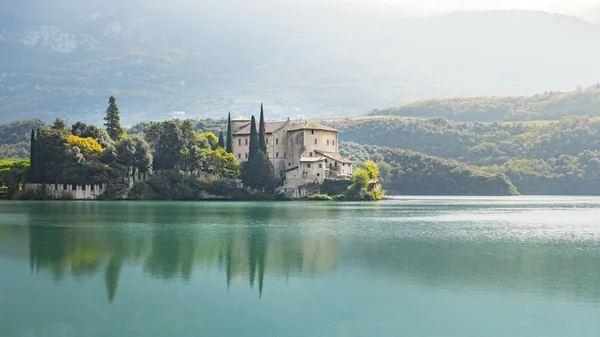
x,y
244,242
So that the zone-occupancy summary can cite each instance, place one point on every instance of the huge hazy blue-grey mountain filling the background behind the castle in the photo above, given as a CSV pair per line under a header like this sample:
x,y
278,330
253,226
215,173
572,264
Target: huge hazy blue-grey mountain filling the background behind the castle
x,y
302,58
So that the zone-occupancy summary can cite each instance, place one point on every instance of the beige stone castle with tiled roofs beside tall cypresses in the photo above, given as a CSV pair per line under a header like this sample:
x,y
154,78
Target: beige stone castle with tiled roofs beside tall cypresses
x,y
302,153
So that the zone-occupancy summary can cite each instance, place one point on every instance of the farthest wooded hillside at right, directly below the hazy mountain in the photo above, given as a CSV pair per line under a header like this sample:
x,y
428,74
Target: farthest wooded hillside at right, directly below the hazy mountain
x,y
549,105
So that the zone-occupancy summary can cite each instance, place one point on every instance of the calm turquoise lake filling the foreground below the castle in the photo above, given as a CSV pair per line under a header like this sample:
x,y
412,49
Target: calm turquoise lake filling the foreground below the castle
x,y
514,266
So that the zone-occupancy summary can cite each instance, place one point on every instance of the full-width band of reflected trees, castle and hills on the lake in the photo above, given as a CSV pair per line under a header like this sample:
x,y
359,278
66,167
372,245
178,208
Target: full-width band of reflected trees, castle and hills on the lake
x,y
252,243
